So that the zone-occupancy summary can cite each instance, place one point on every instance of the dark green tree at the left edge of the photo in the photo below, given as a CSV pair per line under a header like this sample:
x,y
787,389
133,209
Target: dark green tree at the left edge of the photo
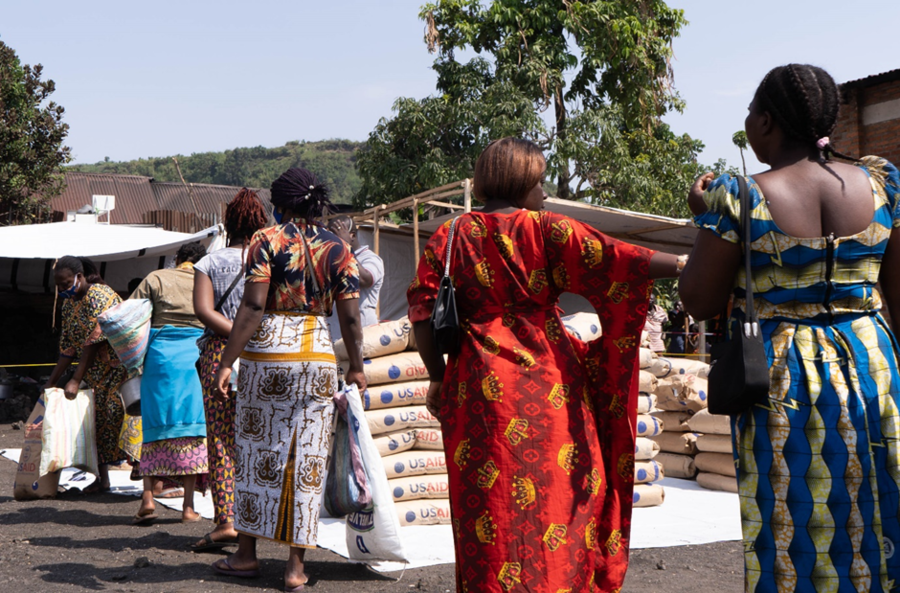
x,y
31,142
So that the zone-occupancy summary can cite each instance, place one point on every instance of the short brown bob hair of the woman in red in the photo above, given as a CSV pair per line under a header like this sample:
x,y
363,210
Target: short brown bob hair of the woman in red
x,y
508,169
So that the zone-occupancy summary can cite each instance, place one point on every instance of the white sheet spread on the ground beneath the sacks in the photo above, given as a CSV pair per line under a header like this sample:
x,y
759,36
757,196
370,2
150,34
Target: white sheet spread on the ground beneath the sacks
x,y
690,515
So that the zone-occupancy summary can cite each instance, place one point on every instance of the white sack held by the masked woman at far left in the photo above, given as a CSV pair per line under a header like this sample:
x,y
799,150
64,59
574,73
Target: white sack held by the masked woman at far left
x,y
68,438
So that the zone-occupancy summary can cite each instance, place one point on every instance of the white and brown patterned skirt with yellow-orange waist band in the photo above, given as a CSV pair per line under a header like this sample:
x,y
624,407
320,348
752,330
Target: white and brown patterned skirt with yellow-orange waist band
x,y
284,413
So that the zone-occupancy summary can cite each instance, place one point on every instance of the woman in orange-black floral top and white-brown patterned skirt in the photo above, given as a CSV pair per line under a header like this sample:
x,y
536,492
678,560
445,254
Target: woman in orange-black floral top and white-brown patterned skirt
x,y
296,270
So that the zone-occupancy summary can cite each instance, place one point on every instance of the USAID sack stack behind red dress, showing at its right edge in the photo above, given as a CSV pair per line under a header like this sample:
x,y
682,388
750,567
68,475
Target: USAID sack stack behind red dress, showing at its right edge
x,y
647,470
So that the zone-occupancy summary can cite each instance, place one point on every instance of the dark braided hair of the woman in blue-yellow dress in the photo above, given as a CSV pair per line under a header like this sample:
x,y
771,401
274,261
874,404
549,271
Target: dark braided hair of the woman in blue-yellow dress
x,y
805,101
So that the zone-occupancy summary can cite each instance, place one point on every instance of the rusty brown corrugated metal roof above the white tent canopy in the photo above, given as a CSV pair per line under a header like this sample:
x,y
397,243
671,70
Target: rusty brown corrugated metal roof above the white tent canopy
x,y
136,195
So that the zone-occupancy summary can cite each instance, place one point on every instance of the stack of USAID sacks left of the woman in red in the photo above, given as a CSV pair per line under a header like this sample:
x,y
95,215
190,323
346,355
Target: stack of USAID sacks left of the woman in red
x,y
408,437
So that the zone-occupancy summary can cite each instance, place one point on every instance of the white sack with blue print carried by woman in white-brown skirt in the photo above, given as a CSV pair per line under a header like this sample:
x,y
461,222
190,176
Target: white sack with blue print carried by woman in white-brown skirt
x,y
373,535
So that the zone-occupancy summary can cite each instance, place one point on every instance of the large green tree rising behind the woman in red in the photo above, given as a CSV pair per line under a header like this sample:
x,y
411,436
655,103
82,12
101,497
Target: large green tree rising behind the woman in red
x,y
587,80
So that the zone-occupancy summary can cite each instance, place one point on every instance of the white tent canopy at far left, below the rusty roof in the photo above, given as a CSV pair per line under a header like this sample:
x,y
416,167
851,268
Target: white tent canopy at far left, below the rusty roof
x,y
101,241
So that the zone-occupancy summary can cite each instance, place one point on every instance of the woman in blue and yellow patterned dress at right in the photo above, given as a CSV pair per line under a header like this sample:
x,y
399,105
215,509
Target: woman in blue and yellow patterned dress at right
x,y
818,464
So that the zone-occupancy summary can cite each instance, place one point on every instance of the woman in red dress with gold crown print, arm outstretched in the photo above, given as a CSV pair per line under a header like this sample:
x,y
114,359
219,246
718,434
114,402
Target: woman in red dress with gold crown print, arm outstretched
x,y
538,426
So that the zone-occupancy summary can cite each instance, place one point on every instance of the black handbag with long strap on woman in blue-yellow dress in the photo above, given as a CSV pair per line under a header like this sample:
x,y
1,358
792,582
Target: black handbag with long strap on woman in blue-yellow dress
x,y
739,371
